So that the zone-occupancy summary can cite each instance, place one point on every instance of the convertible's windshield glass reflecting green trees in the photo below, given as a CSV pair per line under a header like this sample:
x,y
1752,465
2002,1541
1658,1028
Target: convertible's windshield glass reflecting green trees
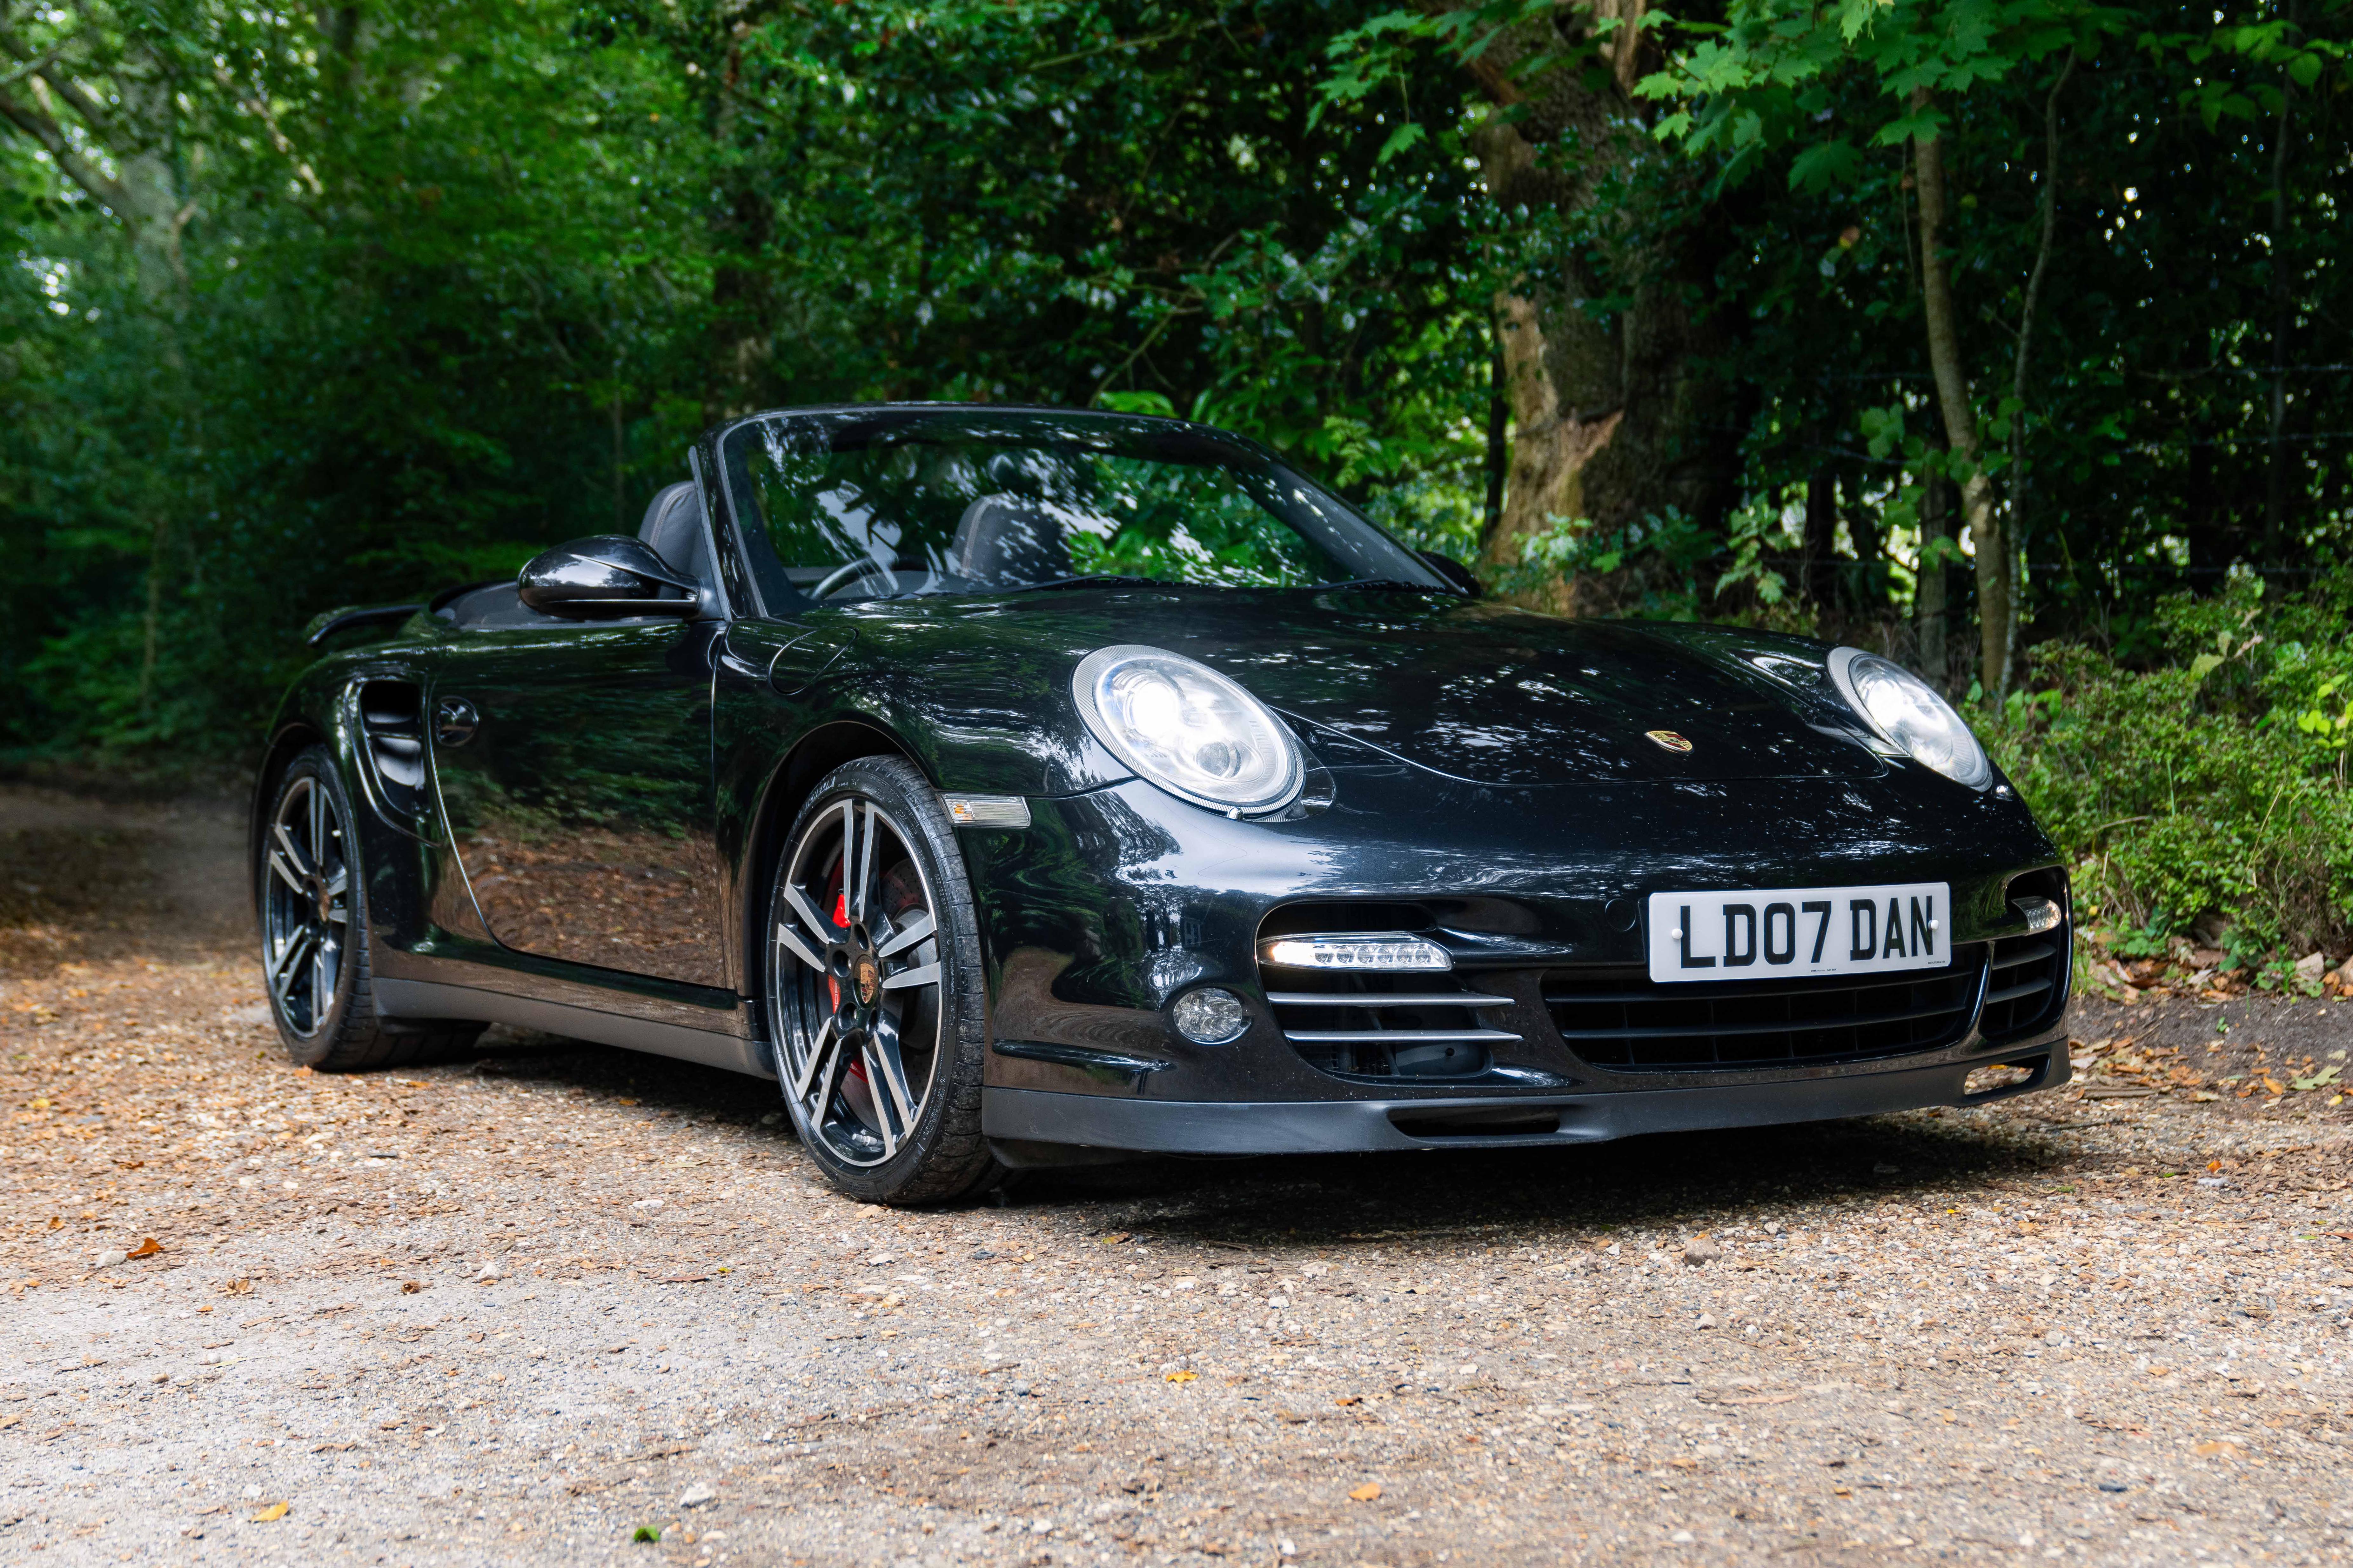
x,y
909,502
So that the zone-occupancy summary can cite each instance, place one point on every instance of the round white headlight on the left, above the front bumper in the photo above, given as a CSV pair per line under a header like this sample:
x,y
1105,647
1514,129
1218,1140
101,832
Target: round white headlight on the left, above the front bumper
x,y
1189,730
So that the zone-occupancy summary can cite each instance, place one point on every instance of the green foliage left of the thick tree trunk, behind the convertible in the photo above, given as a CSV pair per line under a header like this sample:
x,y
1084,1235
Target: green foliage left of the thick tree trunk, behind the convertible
x,y
462,281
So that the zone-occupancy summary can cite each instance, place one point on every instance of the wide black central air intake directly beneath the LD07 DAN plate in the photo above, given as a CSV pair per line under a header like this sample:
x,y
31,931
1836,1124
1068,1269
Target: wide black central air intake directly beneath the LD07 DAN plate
x,y
1622,1019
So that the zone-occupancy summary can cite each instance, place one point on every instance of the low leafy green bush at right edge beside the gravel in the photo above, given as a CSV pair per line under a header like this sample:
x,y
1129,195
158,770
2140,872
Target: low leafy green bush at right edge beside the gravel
x,y
2208,791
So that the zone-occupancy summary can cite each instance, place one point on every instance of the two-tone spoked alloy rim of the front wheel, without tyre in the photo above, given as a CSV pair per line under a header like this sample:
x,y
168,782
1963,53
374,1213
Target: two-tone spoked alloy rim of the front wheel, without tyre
x,y
860,981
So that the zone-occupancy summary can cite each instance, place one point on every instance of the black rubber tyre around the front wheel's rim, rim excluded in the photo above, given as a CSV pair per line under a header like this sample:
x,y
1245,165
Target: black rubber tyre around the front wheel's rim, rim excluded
x,y
956,1085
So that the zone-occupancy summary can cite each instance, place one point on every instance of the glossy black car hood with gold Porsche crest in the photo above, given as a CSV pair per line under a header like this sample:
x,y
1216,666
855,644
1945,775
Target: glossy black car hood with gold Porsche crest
x,y
1477,692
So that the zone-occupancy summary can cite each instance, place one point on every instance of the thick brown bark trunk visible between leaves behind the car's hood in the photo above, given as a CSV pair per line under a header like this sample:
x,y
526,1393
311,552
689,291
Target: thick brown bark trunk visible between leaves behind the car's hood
x,y
1611,413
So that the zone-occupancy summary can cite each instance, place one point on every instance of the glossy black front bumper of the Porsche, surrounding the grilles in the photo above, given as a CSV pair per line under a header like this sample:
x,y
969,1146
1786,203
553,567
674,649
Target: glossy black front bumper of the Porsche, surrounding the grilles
x,y
1119,902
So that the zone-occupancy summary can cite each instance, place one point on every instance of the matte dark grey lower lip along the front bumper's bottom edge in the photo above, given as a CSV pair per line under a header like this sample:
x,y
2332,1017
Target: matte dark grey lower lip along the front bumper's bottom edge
x,y
1018,1118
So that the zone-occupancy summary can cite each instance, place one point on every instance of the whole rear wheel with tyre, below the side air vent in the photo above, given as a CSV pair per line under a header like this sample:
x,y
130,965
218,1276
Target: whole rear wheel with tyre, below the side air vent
x,y
312,897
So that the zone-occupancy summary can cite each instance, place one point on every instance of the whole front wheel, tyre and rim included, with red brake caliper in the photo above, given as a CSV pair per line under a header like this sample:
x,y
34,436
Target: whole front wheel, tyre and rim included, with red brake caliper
x,y
876,993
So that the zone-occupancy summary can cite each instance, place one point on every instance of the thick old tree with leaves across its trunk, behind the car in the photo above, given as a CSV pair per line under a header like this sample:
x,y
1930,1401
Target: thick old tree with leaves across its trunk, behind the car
x,y
1599,288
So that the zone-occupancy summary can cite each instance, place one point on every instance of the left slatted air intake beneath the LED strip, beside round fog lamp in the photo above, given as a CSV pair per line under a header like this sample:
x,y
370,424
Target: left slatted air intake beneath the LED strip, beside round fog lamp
x,y
1408,1026
